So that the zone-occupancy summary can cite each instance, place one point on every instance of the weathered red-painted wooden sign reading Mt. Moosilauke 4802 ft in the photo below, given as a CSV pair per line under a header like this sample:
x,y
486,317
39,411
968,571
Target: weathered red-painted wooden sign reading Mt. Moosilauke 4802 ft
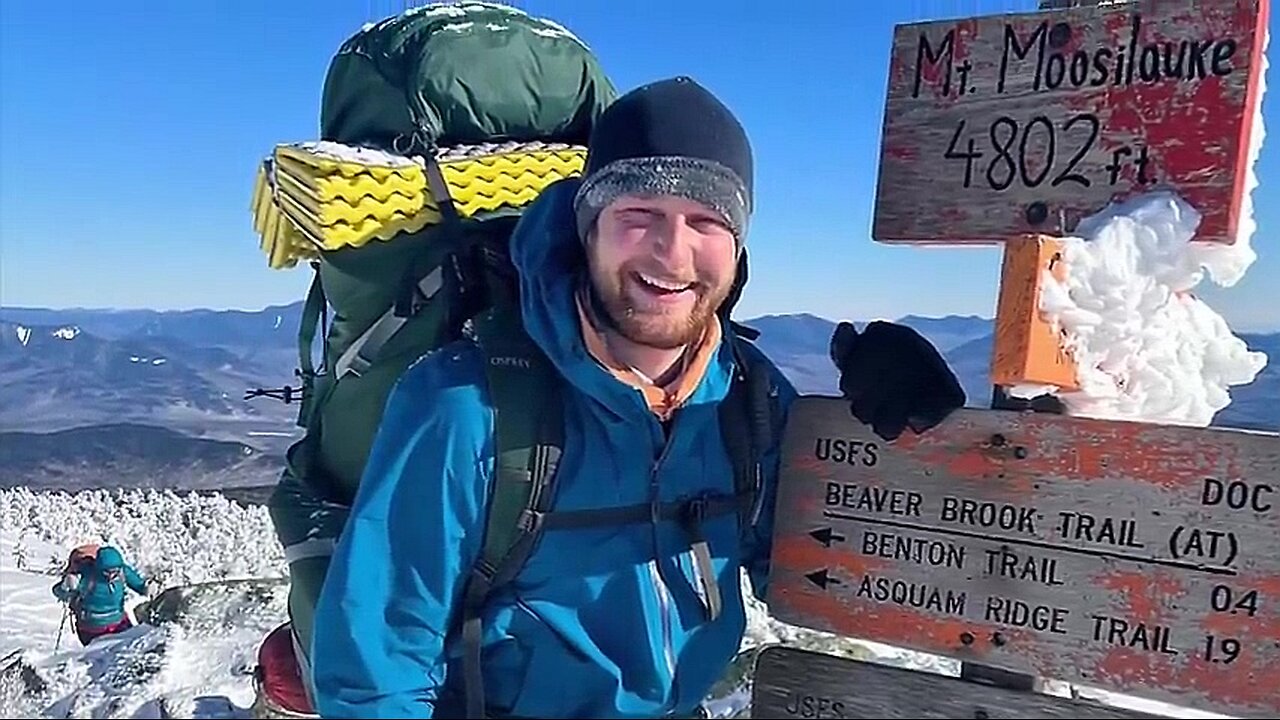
x,y
1026,124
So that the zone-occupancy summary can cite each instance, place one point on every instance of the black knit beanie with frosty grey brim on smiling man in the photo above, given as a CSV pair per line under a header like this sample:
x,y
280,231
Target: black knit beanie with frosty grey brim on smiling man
x,y
669,138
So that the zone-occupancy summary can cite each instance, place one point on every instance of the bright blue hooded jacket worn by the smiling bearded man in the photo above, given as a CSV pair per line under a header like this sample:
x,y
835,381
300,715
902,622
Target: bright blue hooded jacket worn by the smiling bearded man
x,y
602,622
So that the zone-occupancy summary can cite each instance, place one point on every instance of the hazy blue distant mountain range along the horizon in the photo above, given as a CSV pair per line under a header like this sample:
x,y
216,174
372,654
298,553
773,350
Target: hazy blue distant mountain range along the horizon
x,y
164,393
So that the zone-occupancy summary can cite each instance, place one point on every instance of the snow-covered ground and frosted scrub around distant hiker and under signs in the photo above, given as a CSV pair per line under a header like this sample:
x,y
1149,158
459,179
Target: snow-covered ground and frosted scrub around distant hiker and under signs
x,y
199,662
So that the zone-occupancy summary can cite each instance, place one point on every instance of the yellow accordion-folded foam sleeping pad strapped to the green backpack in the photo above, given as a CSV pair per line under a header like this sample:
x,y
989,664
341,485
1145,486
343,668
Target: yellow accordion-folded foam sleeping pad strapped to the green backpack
x,y
318,197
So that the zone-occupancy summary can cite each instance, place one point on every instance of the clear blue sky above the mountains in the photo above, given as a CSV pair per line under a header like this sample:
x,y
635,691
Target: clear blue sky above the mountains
x,y
130,134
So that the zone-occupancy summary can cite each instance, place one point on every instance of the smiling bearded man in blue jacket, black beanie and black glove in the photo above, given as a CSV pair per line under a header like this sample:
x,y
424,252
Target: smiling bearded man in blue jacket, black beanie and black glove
x,y
623,276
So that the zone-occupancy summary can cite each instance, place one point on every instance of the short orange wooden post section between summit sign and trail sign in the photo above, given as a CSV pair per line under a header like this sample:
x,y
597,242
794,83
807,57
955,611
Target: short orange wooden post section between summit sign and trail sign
x,y
1028,349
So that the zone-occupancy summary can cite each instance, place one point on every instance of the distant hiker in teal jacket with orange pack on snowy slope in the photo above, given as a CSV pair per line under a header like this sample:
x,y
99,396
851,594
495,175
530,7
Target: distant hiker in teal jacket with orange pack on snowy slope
x,y
93,586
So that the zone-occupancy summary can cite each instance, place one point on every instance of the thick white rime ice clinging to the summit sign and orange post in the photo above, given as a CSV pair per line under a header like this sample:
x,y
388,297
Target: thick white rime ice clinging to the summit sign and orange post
x,y
1146,348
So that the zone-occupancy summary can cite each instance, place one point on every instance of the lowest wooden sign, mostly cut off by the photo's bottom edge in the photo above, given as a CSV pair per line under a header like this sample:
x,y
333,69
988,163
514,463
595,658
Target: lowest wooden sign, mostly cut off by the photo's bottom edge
x,y
801,683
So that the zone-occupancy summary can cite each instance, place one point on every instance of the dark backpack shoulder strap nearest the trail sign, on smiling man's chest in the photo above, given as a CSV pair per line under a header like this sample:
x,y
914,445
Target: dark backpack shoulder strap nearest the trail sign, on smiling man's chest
x,y
749,420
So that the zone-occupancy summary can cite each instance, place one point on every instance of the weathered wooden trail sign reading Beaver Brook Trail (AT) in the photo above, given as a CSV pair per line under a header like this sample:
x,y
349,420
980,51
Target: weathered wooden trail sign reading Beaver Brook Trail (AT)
x,y
1136,558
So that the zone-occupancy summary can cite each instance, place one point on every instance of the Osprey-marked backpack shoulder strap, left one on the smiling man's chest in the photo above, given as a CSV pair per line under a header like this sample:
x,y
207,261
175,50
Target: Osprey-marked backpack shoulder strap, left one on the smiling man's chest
x,y
529,440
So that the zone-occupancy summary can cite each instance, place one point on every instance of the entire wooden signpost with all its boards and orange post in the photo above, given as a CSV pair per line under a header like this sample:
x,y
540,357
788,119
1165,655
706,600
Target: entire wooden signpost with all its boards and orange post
x,y
1130,557
